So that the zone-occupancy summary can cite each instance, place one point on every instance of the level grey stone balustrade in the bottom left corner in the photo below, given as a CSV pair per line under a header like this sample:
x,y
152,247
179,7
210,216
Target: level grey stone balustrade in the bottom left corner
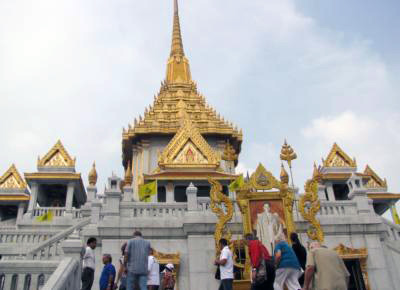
x,y
19,274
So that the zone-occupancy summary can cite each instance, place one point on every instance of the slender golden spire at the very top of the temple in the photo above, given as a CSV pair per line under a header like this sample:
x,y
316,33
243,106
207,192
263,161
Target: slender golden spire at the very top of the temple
x,y
178,70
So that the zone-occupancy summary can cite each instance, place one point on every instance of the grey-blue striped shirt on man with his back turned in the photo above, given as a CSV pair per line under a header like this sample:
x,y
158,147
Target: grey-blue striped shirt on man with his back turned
x,y
137,252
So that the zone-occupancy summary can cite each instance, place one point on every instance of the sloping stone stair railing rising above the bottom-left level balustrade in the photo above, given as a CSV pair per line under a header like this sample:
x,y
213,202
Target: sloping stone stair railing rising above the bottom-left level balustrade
x,y
51,247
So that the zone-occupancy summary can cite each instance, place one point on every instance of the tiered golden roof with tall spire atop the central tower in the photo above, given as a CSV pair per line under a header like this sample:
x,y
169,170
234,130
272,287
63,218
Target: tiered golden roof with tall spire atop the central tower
x,y
162,116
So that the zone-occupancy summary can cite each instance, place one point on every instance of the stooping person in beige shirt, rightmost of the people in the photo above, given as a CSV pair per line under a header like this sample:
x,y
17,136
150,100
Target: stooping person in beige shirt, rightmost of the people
x,y
332,273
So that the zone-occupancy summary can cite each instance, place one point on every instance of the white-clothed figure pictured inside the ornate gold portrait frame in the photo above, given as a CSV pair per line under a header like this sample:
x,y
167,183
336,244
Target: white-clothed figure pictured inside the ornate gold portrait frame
x,y
269,227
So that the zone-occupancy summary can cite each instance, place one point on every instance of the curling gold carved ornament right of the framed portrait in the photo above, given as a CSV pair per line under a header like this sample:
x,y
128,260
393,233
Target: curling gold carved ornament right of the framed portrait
x,y
309,206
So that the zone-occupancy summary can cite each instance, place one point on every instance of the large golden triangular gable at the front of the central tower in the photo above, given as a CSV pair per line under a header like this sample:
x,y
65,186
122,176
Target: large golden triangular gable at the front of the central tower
x,y
188,149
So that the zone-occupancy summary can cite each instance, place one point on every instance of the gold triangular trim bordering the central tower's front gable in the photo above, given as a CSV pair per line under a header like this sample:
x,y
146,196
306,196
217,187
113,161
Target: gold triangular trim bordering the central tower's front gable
x,y
188,133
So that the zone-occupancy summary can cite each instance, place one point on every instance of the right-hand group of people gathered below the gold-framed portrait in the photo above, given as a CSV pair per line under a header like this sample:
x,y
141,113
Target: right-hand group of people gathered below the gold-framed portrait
x,y
292,266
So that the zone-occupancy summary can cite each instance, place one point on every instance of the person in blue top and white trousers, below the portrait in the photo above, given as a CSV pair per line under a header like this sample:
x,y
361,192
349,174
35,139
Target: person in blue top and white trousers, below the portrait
x,y
288,269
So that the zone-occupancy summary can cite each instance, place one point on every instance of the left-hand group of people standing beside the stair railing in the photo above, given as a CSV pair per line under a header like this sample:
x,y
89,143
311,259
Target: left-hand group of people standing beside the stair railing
x,y
138,268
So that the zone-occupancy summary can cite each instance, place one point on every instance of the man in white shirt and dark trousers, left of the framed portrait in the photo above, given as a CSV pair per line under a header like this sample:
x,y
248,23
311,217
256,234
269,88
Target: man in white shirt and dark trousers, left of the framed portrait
x,y
225,263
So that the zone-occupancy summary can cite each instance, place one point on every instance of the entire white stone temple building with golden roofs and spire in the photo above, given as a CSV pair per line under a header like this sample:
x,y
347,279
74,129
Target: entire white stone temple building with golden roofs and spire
x,y
190,153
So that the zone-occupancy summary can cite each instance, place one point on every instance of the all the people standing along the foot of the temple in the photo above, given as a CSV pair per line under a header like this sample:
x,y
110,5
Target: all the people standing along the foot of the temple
x,y
293,266
